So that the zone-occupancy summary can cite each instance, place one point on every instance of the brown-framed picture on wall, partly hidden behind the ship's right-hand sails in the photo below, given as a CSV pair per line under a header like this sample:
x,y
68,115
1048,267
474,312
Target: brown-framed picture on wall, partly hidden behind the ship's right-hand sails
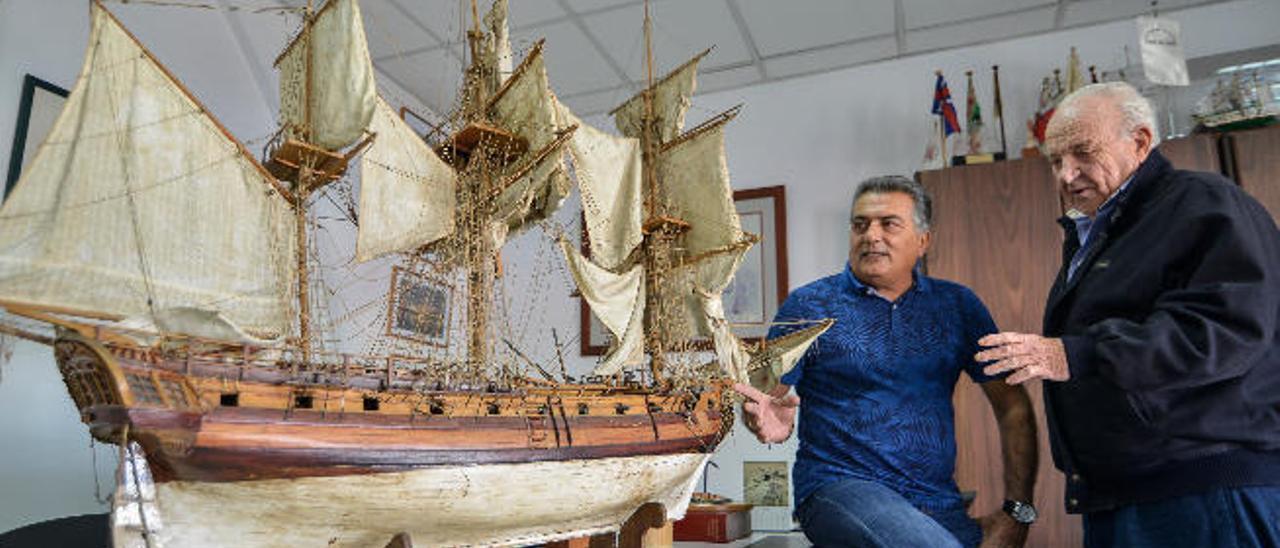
x,y
757,290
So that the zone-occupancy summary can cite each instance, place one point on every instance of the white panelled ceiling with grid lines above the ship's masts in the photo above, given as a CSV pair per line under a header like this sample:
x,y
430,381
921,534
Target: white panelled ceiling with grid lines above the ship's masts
x,y
596,48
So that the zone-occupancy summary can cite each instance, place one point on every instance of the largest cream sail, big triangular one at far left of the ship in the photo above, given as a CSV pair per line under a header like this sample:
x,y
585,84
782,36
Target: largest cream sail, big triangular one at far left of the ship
x,y
139,203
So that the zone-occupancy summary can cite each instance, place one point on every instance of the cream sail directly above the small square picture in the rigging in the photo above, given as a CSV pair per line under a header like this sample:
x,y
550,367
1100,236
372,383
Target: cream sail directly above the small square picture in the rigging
x,y
406,191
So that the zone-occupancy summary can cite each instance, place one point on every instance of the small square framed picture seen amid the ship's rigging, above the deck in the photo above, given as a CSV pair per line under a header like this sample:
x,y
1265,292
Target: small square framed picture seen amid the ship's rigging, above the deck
x,y
419,308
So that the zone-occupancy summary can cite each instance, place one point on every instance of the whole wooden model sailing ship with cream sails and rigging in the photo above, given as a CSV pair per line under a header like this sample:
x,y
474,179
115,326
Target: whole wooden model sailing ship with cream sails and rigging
x,y
172,275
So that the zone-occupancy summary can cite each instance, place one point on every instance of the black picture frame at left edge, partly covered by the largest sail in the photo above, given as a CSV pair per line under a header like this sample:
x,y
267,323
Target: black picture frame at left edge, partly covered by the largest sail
x,y
39,107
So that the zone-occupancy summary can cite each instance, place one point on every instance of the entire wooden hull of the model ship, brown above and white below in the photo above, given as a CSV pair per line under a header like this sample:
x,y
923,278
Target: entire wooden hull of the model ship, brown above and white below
x,y
248,454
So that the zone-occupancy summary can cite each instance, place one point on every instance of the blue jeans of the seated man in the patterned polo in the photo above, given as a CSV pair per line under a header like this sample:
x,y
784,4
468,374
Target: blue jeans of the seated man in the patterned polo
x,y
866,514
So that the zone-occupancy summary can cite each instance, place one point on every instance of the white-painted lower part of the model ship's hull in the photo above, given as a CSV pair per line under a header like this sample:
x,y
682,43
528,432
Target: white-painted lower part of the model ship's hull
x,y
484,505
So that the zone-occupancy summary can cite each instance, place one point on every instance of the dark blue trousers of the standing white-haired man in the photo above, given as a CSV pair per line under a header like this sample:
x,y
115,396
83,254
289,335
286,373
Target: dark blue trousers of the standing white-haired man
x,y
1220,519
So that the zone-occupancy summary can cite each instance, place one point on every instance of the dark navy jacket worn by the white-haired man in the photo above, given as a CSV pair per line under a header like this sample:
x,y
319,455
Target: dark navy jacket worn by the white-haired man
x,y
1173,340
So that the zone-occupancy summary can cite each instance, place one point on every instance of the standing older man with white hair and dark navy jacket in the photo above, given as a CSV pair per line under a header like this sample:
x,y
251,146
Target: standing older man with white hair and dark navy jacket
x,y
1162,349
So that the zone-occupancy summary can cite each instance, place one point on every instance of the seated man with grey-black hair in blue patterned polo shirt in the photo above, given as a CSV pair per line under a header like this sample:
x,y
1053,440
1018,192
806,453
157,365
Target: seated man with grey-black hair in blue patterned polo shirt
x,y
877,435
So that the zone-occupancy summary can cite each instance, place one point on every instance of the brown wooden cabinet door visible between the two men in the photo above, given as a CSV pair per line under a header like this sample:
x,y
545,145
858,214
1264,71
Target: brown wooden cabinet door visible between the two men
x,y
995,232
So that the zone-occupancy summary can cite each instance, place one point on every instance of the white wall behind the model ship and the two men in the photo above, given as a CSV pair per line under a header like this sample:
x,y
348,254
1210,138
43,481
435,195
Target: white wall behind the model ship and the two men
x,y
817,135
